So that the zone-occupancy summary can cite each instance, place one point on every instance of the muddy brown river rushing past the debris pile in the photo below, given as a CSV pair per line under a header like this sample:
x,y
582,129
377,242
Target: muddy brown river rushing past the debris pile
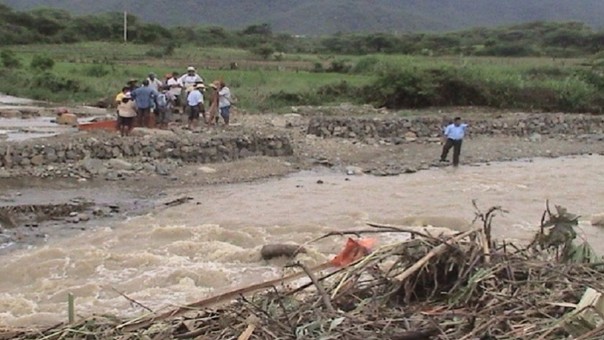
x,y
210,244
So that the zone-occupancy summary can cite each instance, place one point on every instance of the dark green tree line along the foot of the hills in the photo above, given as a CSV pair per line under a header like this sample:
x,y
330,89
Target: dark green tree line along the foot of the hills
x,y
554,39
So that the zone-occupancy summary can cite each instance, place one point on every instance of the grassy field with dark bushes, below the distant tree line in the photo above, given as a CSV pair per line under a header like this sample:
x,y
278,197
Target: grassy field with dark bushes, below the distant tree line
x,y
87,72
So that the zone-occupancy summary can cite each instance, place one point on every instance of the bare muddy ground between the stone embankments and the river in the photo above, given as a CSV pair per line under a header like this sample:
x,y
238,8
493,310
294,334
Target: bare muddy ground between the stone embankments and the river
x,y
32,208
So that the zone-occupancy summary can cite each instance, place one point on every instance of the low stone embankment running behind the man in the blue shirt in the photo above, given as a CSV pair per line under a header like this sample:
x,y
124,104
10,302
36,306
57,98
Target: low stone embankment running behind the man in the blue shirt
x,y
410,128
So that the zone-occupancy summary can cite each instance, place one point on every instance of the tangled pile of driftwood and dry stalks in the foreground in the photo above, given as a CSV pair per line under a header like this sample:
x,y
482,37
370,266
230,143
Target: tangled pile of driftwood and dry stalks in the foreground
x,y
466,286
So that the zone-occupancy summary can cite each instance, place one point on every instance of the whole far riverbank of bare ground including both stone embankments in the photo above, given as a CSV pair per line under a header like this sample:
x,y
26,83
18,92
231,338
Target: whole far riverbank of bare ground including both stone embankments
x,y
153,166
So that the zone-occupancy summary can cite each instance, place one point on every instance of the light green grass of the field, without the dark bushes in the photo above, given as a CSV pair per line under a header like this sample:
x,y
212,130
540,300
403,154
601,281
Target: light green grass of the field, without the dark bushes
x,y
103,68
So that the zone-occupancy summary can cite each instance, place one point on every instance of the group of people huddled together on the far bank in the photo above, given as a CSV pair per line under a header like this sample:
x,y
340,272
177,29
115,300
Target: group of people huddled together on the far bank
x,y
136,104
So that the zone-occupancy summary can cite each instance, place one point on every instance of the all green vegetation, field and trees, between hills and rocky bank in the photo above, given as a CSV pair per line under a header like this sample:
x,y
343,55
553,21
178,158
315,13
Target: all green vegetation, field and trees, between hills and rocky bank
x,y
279,70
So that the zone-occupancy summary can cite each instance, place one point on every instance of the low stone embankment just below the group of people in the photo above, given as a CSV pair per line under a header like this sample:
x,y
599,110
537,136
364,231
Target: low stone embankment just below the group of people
x,y
89,154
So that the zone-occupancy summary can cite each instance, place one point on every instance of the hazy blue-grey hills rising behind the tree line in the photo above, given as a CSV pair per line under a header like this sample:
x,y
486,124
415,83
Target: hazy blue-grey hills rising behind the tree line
x,y
315,17
